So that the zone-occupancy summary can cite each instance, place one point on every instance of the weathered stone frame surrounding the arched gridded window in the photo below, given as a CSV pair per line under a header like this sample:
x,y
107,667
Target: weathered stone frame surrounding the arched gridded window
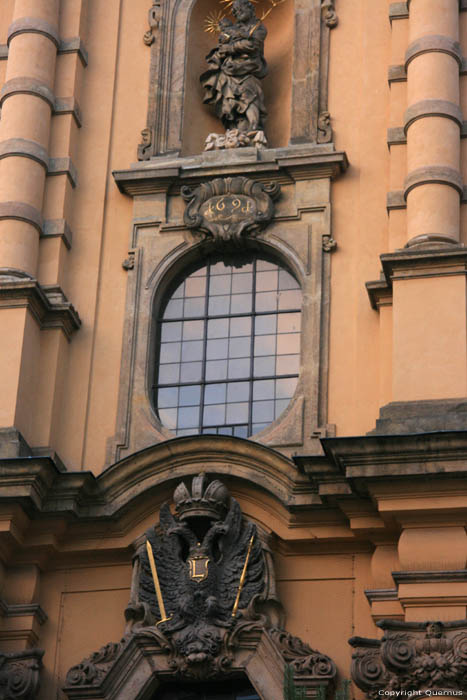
x,y
305,419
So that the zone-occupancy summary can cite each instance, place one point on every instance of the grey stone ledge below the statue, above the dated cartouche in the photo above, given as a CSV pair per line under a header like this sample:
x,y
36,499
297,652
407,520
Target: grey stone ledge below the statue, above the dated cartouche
x,y
283,165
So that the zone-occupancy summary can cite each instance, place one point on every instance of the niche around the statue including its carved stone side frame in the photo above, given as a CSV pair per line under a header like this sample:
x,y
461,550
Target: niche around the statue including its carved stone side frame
x,y
297,52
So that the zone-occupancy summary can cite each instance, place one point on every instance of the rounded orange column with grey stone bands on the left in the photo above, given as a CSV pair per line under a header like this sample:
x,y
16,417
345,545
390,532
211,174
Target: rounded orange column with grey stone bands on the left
x,y
27,102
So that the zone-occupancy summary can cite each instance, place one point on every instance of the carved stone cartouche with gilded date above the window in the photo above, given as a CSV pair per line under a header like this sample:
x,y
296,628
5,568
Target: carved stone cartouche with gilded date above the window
x,y
229,208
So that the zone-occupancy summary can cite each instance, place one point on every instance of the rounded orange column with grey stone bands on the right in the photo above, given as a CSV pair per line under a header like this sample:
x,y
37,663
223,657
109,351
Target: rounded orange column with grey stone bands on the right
x,y
433,186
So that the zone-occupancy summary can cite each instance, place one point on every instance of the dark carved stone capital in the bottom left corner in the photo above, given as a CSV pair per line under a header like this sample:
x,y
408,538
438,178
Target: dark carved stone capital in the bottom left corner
x,y
19,674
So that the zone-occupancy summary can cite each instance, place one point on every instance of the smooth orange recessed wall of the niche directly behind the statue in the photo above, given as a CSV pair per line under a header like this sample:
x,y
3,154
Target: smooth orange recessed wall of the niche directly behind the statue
x,y
198,119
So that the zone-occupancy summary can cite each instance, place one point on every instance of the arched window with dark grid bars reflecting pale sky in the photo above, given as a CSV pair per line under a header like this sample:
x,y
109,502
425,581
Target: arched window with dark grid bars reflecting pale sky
x,y
228,347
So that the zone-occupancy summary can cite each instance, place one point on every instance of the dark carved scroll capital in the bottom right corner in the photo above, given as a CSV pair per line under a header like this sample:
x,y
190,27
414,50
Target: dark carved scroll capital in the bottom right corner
x,y
412,656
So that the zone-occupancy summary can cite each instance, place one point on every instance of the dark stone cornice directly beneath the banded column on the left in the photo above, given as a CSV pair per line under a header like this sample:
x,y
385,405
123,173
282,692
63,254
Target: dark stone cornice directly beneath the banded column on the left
x,y
47,304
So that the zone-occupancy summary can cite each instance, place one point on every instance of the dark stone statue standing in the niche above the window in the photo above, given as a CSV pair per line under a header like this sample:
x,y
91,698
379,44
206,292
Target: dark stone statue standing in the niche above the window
x,y
233,81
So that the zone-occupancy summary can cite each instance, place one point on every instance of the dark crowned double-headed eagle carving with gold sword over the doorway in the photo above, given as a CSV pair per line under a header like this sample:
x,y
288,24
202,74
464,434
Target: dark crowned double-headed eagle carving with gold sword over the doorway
x,y
203,606
